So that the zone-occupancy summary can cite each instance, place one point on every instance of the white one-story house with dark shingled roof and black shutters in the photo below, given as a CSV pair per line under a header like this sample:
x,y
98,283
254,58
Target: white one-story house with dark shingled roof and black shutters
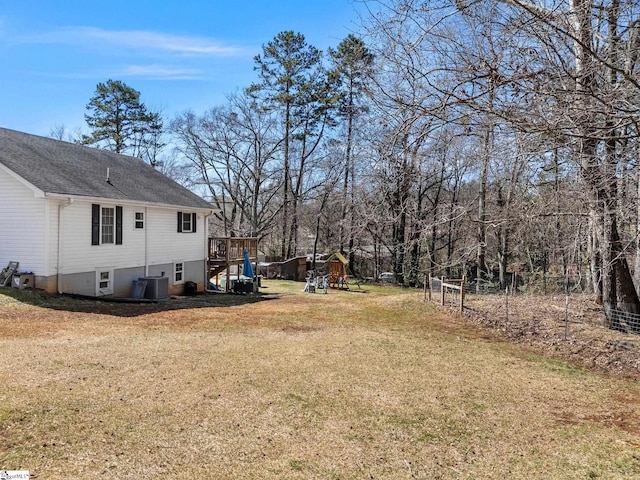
x,y
89,221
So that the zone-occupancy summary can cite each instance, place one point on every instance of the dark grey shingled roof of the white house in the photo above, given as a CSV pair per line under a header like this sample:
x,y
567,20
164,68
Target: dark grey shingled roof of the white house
x,y
69,169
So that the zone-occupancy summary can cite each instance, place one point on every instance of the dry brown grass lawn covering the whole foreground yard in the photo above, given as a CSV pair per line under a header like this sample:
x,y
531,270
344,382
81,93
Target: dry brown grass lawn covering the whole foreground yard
x,y
295,386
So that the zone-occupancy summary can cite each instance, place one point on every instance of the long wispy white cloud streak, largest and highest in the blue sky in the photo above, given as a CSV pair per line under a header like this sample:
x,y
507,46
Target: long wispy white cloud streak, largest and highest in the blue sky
x,y
137,39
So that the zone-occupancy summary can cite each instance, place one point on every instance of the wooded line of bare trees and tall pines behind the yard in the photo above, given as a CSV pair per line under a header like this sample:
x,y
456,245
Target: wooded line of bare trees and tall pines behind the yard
x,y
450,137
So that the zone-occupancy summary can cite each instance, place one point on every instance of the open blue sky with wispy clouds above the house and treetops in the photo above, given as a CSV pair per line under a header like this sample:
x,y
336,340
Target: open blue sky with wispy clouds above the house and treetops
x,y
181,55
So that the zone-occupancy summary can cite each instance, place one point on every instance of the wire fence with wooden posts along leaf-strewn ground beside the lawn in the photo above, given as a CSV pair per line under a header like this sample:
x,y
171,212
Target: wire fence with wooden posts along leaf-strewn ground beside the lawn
x,y
565,325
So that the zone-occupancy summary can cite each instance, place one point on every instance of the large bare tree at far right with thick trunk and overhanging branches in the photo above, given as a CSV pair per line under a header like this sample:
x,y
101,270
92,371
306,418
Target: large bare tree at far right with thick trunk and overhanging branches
x,y
565,72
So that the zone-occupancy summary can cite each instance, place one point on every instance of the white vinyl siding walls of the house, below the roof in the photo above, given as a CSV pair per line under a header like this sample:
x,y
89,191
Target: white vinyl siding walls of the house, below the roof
x,y
32,229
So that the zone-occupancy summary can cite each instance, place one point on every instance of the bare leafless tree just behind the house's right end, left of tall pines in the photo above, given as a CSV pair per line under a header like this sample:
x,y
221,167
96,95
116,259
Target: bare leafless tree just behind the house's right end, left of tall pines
x,y
234,151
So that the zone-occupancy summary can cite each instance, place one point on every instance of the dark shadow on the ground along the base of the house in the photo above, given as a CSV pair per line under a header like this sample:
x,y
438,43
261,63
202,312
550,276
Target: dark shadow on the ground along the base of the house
x,y
126,307
